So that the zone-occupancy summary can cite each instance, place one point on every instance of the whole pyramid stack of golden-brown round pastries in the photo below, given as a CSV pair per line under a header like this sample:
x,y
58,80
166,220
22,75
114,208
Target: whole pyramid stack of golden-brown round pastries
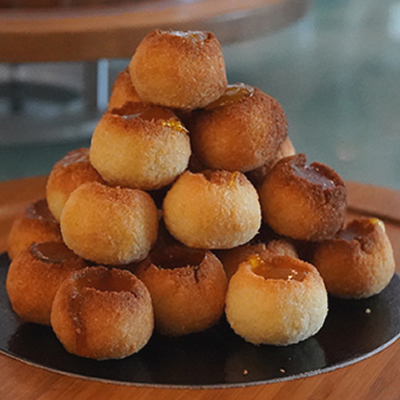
x,y
190,203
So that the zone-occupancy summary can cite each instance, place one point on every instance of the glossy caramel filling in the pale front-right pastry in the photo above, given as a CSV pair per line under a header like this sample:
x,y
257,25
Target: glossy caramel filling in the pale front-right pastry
x,y
274,270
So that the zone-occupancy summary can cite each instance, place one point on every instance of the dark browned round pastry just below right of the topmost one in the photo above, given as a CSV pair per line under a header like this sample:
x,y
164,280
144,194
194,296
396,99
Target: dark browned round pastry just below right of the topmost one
x,y
240,131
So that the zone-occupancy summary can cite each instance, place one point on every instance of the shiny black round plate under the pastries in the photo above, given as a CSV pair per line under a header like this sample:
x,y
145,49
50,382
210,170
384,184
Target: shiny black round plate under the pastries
x,y
216,357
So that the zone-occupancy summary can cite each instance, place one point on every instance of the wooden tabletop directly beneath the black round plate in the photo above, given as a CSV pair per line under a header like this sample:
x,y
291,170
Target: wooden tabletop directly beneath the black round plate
x,y
374,378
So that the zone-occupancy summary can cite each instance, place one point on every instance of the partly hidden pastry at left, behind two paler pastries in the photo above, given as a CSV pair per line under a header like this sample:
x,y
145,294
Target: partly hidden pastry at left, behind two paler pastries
x,y
67,174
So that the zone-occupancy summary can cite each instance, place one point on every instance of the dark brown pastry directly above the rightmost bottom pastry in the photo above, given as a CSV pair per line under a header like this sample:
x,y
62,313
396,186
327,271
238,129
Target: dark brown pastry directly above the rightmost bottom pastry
x,y
306,202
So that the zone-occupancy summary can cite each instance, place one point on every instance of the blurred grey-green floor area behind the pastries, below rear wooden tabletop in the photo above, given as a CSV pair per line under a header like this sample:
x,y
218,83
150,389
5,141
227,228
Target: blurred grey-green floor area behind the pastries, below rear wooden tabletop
x,y
335,70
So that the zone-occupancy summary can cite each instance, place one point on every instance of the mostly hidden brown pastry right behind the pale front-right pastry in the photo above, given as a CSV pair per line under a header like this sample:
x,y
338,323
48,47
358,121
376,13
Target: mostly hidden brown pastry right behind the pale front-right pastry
x,y
231,259
